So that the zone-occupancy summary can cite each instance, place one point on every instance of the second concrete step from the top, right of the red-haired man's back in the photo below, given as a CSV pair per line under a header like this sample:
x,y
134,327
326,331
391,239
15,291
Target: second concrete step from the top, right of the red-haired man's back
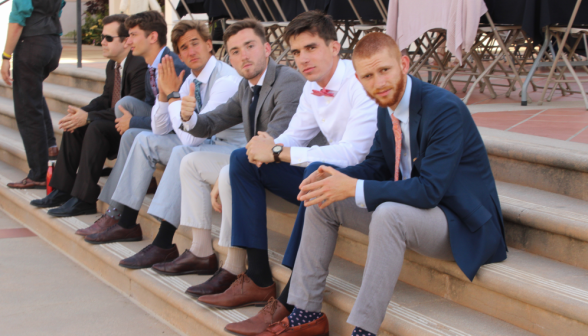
x,y
546,224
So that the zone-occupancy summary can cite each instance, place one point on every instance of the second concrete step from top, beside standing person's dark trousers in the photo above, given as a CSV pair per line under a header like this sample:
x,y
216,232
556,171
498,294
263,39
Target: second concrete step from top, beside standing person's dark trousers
x,y
58,97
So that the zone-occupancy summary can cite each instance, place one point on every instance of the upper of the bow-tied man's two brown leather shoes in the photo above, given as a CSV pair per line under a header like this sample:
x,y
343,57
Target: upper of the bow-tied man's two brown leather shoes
x,y
242,293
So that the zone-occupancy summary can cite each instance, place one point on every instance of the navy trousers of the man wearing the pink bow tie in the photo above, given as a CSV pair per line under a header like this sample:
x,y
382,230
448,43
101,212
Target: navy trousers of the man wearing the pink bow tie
x,y
248,184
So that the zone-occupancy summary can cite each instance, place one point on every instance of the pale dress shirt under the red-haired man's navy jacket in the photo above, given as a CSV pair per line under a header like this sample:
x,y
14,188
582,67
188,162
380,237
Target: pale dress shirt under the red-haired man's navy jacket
x,y
402,114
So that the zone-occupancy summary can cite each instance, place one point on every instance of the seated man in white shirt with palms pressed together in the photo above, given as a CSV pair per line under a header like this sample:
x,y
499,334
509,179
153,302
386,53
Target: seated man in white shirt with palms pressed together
x,y
210,84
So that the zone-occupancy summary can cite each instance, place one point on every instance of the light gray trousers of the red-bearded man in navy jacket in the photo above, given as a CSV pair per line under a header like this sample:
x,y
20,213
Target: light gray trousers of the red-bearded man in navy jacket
x,y
392,228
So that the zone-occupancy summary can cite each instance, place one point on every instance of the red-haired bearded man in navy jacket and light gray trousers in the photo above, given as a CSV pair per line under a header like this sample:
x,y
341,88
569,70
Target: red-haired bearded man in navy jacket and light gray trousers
x,y
426,185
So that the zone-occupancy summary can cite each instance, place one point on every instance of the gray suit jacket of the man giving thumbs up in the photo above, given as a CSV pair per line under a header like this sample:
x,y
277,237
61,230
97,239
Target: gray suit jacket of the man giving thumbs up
x,y
278,100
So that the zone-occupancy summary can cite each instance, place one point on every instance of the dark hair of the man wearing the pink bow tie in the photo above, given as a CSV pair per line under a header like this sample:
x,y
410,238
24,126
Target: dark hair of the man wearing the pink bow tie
x,y
314,22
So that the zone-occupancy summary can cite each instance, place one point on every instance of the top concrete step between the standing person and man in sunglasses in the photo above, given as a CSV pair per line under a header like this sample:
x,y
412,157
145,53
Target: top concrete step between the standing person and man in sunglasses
x,y
90,79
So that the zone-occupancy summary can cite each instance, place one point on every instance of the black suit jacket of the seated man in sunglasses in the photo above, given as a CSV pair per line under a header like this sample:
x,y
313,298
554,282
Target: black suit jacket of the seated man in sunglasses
x,y
132,84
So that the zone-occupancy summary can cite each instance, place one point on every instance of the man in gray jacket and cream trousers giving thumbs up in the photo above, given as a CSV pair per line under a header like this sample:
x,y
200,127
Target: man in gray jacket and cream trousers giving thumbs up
x,y
266,101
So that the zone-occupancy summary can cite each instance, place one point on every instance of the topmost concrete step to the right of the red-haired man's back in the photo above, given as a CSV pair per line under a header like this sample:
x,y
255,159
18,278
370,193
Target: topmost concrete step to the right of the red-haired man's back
x,y
551,165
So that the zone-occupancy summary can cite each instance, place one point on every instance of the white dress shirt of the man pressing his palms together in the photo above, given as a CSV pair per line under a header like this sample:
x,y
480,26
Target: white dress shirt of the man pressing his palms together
x,y
166,117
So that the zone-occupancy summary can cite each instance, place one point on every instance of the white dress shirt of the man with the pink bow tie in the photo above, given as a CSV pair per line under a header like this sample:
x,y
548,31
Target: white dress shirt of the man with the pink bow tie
x,y
347,120
